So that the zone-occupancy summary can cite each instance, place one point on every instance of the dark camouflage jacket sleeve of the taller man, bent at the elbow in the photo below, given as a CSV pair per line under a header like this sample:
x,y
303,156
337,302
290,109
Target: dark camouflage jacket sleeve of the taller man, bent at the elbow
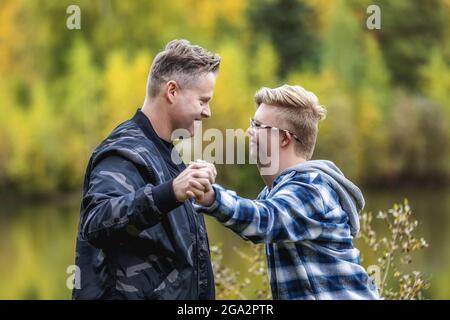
x,y
118,201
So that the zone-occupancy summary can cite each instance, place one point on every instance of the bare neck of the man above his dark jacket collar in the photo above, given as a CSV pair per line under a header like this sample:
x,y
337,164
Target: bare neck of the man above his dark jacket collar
x,y
158,117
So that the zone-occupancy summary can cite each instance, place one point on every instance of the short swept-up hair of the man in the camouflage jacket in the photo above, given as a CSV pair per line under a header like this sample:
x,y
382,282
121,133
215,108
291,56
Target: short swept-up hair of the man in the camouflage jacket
x,y
180,61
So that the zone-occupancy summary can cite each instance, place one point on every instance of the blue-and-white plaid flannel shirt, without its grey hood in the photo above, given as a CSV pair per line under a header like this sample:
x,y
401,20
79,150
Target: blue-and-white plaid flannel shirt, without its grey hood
x,y
310,254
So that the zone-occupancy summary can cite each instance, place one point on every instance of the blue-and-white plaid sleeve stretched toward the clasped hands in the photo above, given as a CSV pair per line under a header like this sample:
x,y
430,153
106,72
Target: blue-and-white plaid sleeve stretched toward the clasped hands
x,y
292,213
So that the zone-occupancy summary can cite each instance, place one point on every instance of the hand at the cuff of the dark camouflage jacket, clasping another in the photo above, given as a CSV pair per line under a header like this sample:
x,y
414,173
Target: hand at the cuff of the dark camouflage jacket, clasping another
x,y
195,181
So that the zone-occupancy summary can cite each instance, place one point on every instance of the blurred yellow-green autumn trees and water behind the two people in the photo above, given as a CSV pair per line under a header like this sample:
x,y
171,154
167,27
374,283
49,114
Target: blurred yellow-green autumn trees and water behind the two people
x,y
62,91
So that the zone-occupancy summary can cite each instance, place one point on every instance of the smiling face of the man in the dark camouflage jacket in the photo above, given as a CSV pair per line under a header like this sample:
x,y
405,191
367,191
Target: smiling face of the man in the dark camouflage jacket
x,y
192,104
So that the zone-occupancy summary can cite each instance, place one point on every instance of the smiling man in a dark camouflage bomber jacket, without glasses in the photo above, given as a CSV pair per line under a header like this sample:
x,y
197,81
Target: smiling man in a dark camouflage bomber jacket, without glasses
x,y
138,236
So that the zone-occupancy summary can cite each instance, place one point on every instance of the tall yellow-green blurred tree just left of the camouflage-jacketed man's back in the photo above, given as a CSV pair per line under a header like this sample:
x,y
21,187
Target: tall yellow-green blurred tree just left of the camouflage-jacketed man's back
x,y
77,111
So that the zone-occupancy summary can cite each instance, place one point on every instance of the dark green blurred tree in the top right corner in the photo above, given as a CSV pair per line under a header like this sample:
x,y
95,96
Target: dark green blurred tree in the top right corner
x,y
409,29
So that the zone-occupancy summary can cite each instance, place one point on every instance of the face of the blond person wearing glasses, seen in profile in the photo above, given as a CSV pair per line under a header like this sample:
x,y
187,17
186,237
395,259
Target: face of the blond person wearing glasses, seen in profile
x,y
263,140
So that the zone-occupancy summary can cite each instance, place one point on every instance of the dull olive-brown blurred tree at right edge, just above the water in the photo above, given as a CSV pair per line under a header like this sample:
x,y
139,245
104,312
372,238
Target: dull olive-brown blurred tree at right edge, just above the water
x,y
417,139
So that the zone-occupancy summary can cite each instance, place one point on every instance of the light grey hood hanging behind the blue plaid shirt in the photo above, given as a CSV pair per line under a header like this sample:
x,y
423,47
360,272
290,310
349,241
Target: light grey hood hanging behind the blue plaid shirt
x,y
350,196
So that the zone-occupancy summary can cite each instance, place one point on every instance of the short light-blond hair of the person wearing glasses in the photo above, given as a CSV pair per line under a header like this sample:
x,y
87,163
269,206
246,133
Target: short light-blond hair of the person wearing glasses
x,y
300,113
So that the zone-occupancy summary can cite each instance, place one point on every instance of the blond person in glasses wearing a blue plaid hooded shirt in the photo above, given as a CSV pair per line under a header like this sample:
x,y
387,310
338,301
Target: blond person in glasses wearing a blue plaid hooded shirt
x,y
307,215
